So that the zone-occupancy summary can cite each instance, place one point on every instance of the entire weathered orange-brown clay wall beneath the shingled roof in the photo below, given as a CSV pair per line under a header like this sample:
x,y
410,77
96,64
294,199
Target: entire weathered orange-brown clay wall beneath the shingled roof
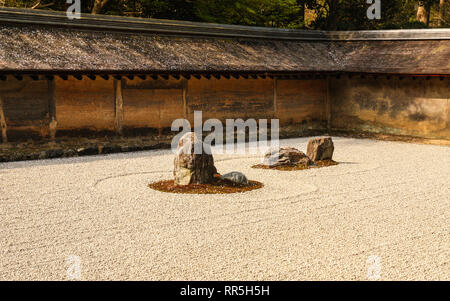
x,y
403,107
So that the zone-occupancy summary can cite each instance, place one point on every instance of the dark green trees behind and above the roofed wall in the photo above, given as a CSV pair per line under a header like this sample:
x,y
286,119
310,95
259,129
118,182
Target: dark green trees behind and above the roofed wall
x,y
303,14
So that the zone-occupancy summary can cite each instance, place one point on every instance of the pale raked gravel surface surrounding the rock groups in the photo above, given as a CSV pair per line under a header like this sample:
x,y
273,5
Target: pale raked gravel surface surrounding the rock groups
x,y
385,199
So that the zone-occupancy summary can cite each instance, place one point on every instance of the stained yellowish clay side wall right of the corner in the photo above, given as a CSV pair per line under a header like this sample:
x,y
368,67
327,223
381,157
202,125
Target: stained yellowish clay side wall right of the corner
x,y
417,107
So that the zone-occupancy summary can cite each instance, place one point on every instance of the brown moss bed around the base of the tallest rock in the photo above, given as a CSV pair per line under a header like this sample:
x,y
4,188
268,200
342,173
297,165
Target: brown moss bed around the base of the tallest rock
x,y
219,186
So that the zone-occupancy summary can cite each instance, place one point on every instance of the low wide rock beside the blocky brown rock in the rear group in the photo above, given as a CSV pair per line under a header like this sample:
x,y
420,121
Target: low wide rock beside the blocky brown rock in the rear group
x,y
285,156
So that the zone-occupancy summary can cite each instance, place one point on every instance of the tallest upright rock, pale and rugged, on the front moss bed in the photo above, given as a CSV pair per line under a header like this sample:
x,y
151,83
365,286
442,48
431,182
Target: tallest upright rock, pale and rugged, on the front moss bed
x,y
192,168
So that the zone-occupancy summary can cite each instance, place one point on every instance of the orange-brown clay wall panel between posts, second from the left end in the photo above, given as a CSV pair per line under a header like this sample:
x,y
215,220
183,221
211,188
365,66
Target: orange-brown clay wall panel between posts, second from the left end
x,y
84,104
